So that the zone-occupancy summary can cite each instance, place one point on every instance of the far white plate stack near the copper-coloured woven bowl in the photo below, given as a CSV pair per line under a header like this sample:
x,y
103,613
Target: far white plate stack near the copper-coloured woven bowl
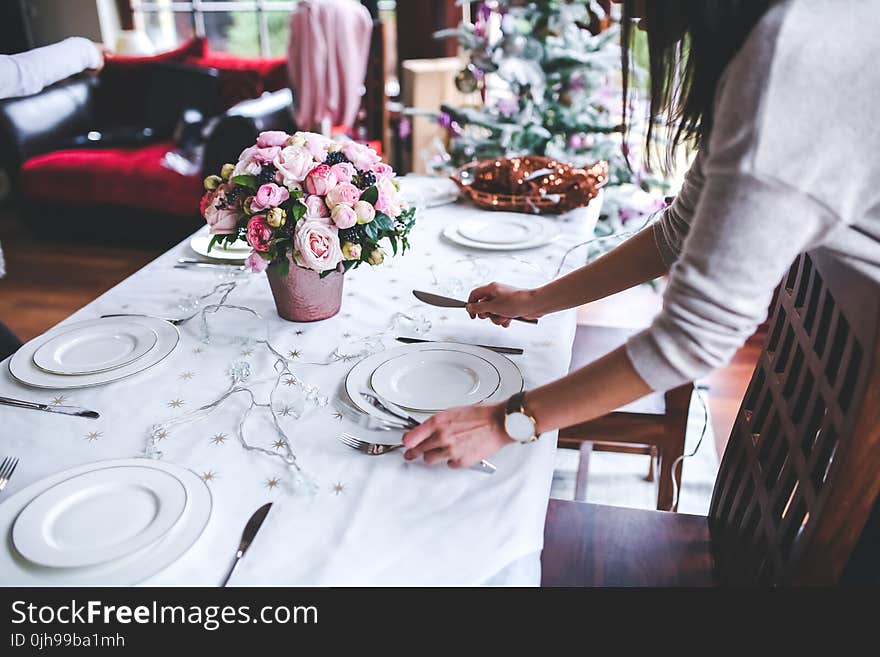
x,y
502,231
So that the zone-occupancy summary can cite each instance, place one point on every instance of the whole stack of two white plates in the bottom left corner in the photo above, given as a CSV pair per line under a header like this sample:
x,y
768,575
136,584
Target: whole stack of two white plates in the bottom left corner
x,y
107,523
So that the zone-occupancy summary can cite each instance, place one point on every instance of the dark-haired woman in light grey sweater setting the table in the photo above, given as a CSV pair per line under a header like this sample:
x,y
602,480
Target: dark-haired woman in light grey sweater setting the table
x,y
780,98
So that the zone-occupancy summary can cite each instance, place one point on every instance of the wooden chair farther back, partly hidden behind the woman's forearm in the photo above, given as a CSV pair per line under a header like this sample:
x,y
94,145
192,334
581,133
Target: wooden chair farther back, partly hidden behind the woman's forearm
x,y
654,425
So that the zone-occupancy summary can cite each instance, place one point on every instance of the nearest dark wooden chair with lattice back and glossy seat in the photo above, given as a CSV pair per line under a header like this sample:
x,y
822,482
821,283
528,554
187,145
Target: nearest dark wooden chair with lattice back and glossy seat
x,y
799,477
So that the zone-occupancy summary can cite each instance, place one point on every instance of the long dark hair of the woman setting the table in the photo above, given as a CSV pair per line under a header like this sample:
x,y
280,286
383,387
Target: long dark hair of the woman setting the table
x,y
690,43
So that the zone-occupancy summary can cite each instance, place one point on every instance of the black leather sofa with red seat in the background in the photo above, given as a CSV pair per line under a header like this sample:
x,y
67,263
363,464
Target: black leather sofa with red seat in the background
x,y
124,193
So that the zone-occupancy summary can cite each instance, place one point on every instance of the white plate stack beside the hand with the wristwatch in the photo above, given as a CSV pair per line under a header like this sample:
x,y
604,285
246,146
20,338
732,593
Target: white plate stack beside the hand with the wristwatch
x,y
431,377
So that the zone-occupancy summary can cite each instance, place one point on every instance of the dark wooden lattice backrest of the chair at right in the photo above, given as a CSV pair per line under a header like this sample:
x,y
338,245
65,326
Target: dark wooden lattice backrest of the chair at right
x,y
801,470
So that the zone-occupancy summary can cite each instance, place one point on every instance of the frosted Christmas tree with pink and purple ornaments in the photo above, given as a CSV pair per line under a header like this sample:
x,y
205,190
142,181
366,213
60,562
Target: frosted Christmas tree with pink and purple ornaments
x,y
549,84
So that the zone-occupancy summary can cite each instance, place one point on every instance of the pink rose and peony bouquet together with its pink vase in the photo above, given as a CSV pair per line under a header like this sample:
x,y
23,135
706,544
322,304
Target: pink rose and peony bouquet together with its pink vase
x,y
311,208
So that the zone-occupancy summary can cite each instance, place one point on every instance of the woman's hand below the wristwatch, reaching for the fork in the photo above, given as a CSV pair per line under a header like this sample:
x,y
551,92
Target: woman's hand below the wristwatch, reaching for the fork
x,y
460,436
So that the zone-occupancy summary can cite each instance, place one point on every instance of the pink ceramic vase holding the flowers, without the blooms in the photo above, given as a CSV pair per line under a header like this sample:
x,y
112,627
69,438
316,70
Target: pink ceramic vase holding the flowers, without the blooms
x,y
303,296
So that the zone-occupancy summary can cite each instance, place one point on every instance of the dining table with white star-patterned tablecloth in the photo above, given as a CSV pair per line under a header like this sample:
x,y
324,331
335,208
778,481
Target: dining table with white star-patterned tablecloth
x,y
361,520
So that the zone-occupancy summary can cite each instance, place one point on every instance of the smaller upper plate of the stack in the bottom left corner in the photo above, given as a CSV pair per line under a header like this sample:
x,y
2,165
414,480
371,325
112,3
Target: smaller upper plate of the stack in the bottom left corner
x,y
99,516
